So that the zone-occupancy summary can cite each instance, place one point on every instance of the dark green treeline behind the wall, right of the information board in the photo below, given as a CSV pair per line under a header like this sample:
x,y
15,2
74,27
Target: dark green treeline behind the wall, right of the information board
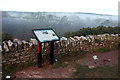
x,y
94,31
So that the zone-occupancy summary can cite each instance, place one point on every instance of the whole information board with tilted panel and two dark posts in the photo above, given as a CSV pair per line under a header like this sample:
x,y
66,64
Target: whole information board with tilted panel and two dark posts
x,y
44,36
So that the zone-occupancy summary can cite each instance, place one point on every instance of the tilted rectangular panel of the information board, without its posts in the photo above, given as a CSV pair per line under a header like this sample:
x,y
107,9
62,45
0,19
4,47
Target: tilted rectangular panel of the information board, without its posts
x,y
45,35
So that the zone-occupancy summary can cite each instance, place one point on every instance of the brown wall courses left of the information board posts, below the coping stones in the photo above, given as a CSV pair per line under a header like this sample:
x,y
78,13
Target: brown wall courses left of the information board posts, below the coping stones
x,y
20,57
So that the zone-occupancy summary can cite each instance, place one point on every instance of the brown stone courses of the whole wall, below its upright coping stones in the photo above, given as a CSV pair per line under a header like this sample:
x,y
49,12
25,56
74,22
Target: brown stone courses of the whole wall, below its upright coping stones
x,y
30,55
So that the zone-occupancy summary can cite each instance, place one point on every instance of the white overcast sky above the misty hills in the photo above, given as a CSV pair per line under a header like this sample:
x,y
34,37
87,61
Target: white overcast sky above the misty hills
x,y
90,6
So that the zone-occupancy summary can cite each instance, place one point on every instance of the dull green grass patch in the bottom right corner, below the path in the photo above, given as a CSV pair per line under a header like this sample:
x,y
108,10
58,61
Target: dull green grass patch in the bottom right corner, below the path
x,y
98,72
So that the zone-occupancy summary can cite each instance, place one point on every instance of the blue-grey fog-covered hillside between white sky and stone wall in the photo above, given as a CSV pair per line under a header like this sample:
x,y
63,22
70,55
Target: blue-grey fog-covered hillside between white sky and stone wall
x,y
20,24
